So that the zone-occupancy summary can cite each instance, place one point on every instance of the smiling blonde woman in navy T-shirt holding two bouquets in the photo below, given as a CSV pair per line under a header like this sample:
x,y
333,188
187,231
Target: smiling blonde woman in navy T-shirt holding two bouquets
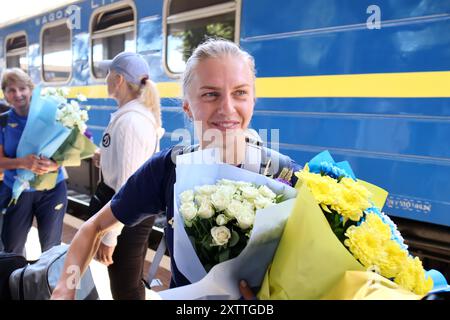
x,y
219,95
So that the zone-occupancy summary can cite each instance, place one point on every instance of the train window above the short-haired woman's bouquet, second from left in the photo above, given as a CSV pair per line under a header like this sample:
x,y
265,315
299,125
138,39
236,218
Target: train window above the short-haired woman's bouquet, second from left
x,y
56,53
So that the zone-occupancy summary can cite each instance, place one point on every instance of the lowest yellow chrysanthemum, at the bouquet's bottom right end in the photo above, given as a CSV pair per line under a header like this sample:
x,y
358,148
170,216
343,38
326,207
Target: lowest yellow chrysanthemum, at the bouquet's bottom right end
x,y
412,277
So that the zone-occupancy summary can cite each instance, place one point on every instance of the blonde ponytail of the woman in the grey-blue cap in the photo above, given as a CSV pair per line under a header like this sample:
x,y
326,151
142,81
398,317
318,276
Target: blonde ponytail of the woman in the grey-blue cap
x,y
148,93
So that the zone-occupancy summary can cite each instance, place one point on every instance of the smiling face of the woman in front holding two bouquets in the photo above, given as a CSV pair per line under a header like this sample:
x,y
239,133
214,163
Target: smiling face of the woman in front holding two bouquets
x,y
221,97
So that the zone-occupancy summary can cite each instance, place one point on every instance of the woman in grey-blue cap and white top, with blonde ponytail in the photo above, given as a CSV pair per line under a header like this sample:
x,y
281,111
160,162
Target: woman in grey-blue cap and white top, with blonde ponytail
x,y
131,138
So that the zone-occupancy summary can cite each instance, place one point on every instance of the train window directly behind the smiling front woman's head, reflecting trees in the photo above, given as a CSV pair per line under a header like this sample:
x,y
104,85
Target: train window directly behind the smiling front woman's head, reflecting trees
x,y
188,23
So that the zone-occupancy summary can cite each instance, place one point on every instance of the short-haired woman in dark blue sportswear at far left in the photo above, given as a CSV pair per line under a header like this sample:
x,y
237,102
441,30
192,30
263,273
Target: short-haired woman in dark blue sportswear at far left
x,y
48,206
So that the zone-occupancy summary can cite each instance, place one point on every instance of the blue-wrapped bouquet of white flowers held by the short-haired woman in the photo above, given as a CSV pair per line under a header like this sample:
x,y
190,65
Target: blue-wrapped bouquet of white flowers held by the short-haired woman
x,y
55,129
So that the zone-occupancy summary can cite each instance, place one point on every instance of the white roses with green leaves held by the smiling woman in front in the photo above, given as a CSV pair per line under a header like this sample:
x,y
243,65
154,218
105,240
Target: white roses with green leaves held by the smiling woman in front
x,y
219,218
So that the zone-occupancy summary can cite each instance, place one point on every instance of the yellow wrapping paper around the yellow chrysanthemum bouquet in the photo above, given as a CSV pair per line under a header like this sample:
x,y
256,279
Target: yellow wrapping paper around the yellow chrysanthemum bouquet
x,y
311,263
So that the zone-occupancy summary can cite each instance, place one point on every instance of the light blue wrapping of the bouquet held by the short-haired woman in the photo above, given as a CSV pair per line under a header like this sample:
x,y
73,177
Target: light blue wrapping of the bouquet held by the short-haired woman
x,y
42,136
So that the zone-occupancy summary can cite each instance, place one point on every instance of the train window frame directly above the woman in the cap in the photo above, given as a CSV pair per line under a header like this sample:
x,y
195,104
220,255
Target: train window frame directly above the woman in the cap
x,y
113,31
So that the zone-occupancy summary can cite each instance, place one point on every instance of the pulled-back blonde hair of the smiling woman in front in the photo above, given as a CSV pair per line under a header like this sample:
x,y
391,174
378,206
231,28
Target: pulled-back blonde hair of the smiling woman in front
x,y
214,48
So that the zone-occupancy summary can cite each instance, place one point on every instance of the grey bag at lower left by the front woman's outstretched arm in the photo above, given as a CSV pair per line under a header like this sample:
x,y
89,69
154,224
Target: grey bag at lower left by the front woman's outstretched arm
x,y
38,280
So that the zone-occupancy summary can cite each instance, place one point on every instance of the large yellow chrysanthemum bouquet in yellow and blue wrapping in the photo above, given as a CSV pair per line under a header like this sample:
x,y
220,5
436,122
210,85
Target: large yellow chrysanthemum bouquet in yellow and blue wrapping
x,y
337,244
